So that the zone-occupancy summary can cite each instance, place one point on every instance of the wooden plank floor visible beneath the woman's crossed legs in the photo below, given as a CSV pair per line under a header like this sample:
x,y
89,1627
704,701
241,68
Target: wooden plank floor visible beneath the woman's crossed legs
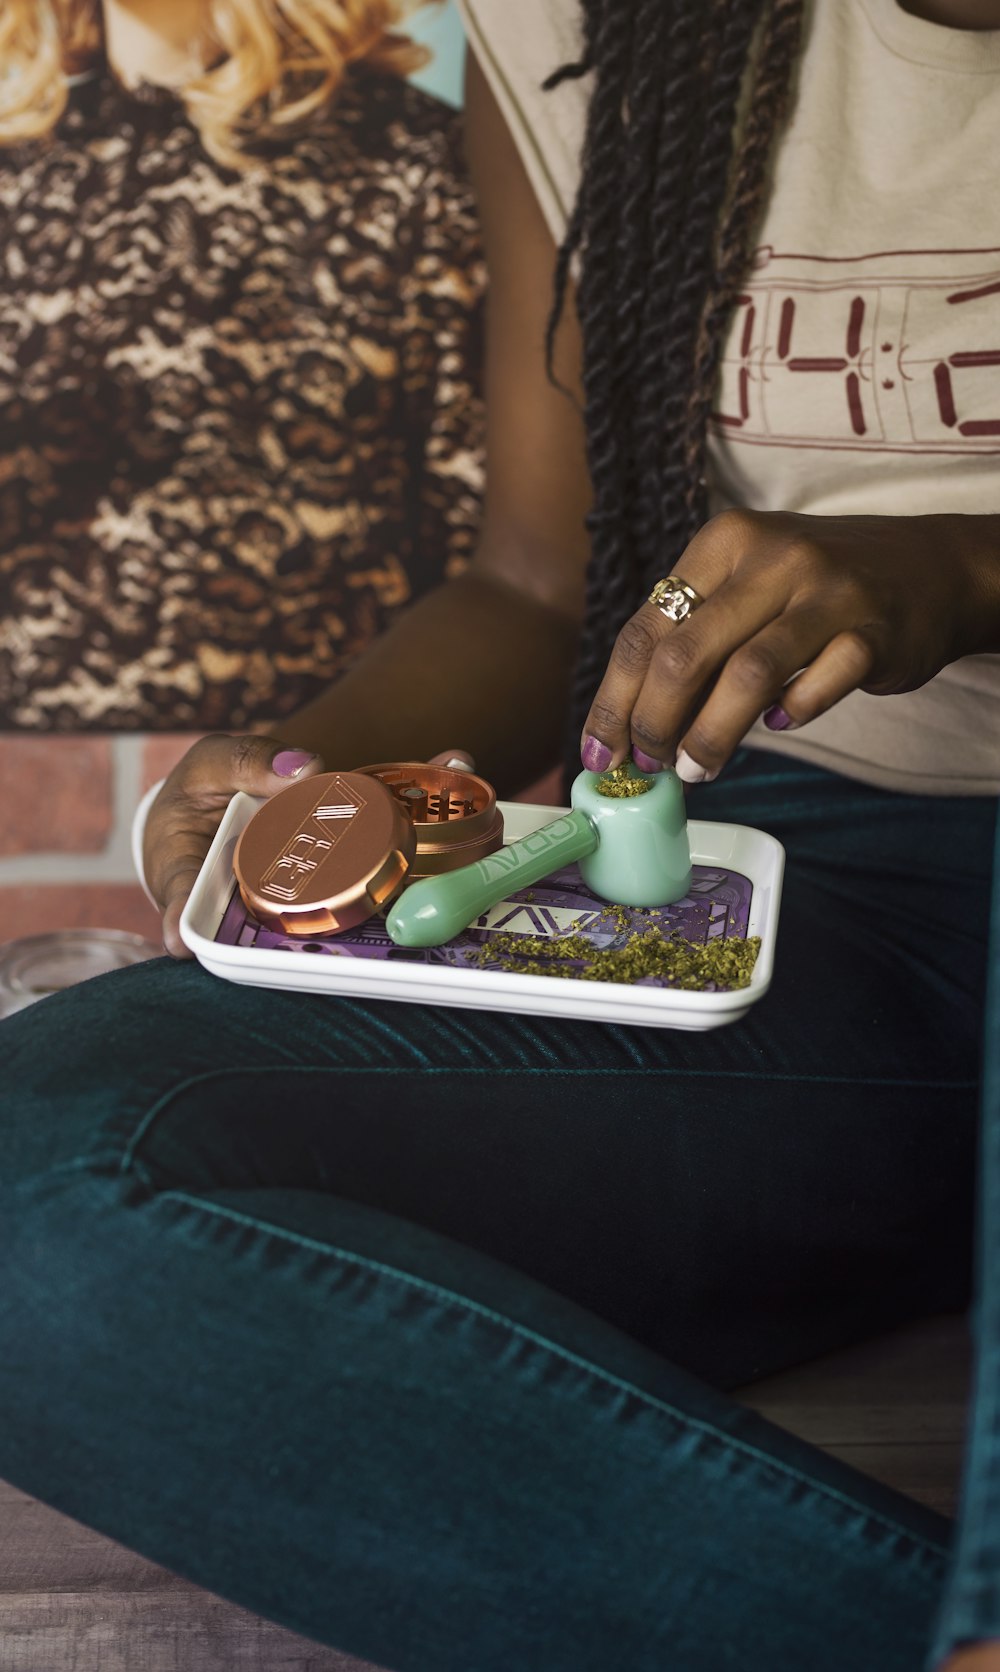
x,y
76,1603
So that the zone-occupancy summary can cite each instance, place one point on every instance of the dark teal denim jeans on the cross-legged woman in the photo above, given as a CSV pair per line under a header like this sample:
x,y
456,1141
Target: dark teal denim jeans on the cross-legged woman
x,y
409,1327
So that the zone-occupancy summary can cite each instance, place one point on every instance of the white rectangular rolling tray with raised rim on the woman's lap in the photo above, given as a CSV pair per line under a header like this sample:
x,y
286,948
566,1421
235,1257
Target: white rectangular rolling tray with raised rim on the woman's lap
x,y
728,847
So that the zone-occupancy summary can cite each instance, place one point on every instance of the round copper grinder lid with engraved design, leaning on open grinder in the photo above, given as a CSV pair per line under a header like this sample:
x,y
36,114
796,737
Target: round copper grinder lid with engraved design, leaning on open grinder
x,y
324,855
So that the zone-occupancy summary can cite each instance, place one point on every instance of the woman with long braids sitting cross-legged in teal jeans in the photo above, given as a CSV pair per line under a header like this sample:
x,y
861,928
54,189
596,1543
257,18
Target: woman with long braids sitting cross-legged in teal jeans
x,y
402,1325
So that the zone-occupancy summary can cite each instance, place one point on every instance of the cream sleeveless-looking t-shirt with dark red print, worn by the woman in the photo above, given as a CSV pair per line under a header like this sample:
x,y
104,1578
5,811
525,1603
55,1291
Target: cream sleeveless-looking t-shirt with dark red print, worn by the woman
x,y
862,370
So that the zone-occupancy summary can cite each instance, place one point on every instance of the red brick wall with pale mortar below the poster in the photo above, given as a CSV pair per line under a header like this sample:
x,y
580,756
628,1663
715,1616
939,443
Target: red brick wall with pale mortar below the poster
x,y
66,818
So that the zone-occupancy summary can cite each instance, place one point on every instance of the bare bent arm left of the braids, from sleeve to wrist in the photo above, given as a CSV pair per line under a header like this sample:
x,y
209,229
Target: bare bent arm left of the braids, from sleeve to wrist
x,y
487,660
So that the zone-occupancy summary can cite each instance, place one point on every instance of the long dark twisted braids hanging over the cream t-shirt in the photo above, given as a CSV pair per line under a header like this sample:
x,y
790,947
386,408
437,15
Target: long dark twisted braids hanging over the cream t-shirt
x,y
663,225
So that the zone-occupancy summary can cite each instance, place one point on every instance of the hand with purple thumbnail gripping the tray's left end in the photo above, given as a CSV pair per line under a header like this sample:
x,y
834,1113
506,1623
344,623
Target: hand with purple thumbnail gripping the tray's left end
x,y
190,808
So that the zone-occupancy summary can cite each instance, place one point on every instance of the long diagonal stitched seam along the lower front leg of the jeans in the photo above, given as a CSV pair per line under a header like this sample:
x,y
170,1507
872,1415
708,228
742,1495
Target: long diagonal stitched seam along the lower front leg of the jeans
x,y
768,1466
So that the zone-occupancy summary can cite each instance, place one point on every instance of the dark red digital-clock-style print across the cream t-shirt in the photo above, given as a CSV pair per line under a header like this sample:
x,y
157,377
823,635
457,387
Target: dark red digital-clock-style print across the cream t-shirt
x,y
895,352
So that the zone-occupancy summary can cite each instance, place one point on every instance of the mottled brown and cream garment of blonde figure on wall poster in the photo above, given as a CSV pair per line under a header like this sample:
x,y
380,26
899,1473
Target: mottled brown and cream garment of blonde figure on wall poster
x,y
240,412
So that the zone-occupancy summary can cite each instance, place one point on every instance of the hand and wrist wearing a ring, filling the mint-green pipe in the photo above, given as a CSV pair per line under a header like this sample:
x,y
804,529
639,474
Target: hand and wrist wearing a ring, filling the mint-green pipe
x,y
798,613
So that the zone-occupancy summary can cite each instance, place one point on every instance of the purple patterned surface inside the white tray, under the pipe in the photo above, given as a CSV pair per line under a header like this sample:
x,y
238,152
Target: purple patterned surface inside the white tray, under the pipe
x,y
718,904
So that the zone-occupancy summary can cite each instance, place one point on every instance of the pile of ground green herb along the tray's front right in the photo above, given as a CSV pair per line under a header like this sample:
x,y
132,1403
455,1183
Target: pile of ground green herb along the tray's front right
x,y
718,966
